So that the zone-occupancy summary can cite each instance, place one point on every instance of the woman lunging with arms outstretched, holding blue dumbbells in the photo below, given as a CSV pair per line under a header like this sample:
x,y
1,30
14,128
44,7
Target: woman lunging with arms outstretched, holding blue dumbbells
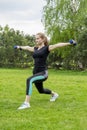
x,y
40,73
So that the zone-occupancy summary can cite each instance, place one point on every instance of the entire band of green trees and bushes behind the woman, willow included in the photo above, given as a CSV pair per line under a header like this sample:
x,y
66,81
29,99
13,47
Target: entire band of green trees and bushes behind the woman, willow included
x,y
63,20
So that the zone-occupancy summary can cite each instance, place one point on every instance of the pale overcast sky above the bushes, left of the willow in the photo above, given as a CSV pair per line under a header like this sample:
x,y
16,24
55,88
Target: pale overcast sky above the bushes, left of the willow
x,y
23,15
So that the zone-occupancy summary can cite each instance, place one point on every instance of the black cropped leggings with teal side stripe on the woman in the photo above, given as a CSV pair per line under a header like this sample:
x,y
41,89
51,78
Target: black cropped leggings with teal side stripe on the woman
x,y
37,79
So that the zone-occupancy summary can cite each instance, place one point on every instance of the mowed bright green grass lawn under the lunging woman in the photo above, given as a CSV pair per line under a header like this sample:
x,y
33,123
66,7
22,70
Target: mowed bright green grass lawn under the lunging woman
x,y
68,112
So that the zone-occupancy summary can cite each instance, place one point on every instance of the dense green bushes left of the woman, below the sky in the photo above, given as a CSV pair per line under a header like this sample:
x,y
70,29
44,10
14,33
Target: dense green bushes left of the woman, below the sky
x,y
10,57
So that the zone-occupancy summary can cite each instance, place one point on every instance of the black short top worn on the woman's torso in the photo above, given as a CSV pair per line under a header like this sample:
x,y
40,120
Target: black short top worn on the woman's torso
x,y
40,57
